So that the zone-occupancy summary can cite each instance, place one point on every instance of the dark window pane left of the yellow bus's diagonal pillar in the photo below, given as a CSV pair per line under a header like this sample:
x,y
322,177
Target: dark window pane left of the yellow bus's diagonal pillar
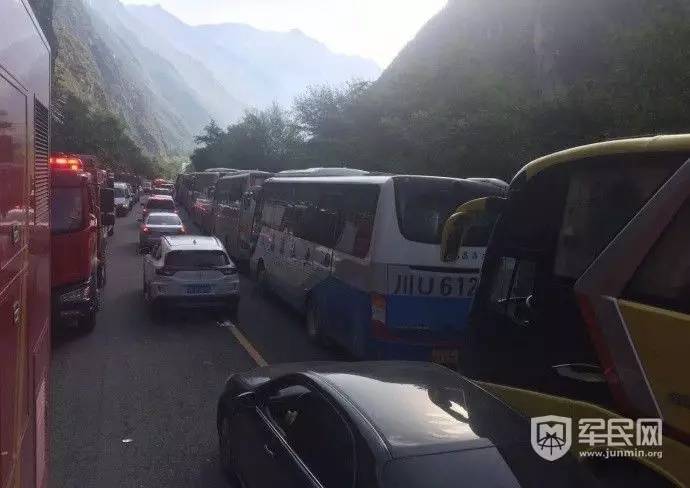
x,y
599,202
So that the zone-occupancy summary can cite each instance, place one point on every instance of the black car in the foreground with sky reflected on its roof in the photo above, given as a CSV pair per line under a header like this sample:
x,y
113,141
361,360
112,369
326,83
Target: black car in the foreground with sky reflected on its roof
x,y
377,424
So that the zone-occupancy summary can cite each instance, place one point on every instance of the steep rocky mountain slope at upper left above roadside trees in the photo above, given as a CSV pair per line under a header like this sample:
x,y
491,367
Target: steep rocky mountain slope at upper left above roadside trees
x,y
103,64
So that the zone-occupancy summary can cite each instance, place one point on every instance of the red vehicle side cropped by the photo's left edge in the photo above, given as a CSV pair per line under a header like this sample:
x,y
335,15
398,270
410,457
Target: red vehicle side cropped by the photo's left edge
x,y
24,248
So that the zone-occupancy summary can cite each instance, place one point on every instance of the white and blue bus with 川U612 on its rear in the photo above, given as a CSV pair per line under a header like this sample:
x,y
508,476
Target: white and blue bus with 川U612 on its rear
x,y
360,256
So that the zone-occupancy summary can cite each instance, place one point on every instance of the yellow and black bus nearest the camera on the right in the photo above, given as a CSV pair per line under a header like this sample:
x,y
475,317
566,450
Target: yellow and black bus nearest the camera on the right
x,y
583,308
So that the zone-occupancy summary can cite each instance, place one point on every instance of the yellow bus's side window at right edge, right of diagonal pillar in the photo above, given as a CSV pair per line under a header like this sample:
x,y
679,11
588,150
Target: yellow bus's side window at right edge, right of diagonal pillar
x,y
663,278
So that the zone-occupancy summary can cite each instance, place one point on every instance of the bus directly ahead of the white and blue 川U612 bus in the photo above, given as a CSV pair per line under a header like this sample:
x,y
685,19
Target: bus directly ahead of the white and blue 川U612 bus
x,y
234,207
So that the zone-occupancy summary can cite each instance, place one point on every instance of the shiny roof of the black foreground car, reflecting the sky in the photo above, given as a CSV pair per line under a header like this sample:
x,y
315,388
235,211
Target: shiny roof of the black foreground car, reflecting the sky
x,y
416,408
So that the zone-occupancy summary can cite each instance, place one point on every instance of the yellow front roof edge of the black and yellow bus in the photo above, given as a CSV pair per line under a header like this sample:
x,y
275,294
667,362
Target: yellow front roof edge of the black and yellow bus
x,y
668,143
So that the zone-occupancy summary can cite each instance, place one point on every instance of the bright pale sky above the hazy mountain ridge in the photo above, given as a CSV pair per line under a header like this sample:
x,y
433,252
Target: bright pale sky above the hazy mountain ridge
x,y
376,29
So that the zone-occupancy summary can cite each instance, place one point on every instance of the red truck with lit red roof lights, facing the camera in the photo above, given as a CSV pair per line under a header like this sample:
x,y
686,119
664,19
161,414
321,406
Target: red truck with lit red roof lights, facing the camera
x,y
81,210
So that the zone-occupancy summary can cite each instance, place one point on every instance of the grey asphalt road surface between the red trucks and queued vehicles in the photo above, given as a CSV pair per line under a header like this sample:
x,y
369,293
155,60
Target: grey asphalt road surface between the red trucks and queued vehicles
x,y
133,402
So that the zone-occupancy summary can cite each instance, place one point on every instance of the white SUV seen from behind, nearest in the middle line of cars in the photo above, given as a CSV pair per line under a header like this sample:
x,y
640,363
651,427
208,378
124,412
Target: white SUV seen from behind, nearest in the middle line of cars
x,y
190,271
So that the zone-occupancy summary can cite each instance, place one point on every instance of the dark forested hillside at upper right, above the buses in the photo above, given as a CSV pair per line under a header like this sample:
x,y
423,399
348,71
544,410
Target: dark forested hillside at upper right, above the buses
x,y
488,85
